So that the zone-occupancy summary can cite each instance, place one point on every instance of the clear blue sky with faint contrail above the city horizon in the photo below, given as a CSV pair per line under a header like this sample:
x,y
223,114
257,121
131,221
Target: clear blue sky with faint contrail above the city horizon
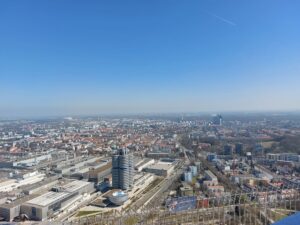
x,y
60,57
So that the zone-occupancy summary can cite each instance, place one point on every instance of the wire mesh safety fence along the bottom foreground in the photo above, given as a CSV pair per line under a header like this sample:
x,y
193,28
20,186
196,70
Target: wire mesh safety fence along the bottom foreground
x,y
261,207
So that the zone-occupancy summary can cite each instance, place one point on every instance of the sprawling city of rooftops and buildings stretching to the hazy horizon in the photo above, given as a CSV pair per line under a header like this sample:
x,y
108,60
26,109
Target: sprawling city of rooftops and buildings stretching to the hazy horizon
x,y
161,169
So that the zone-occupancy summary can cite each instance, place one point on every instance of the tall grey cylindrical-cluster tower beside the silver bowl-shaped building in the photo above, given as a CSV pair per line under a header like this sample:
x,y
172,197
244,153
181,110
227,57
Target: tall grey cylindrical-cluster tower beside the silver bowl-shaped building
x,y
122,170
